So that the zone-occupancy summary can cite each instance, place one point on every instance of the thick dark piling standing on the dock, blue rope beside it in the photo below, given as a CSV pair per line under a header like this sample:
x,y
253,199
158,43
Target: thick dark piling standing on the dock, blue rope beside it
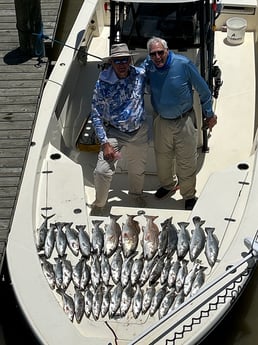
x,y
29,23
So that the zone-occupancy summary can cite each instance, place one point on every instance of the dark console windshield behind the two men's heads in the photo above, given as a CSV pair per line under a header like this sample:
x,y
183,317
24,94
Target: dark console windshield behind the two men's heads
x,y
135,23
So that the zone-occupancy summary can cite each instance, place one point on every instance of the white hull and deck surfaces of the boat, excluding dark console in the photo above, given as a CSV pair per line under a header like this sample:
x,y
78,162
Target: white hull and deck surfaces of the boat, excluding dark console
x,y
58,188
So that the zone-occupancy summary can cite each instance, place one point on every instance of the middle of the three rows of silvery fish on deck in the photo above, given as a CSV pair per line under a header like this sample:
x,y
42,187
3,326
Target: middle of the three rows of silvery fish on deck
x,y
131,271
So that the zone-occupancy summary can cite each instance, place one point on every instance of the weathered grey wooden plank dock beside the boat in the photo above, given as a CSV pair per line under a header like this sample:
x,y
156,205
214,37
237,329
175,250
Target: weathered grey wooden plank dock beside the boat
x,y
21,87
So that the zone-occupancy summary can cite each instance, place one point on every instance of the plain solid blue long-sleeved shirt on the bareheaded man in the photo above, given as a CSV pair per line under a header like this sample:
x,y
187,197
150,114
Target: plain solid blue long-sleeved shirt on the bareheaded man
x,y
172,87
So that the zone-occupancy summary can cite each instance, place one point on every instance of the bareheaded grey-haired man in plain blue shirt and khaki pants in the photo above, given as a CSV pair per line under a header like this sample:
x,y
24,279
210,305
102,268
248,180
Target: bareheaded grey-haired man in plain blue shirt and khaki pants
x,y
172,78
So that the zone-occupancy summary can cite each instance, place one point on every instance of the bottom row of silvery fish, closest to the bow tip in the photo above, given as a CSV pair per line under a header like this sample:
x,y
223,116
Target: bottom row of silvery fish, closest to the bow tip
x,y
117,301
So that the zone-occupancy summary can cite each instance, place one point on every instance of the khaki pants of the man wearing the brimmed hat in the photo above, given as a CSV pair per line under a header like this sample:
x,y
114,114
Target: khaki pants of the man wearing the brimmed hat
x,y
135,152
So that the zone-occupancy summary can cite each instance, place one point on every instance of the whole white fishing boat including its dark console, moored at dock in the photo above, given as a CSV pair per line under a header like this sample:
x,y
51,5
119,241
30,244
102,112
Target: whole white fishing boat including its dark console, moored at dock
x,y
58,179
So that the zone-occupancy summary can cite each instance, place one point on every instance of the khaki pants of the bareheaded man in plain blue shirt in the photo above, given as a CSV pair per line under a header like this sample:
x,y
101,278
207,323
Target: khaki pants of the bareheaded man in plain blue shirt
x,y
175,143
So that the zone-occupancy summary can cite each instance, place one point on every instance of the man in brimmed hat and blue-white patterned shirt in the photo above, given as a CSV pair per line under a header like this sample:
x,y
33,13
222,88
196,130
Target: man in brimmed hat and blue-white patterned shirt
x,y
118,118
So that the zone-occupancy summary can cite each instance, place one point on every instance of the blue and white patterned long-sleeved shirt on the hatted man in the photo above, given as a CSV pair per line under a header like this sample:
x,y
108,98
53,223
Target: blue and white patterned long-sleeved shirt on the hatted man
x,y
118,102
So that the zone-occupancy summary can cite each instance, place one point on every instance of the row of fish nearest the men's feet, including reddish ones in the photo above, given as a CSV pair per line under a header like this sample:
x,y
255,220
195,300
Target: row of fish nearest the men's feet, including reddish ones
x,y
168,241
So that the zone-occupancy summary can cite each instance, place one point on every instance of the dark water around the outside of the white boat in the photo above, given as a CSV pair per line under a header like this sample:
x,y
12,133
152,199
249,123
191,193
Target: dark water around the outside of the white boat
x,y
240,326
